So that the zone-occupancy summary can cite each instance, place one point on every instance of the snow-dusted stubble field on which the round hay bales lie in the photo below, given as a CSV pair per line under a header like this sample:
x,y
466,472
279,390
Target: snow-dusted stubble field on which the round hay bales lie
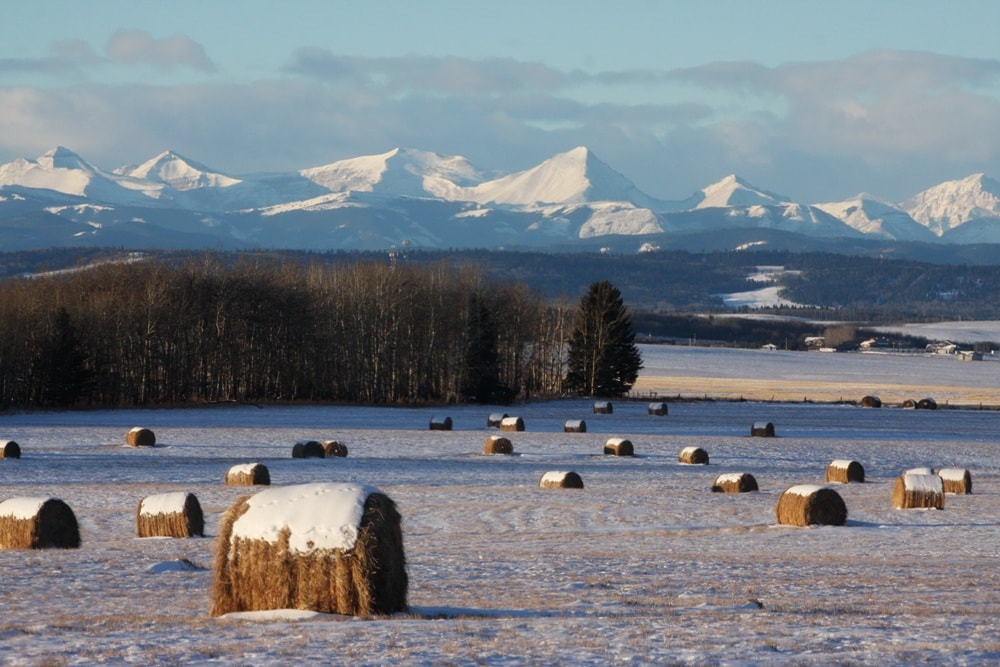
x,y
643,566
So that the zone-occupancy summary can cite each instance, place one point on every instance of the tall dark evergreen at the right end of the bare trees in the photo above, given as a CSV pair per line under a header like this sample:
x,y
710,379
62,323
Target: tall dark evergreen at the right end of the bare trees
x,y
602,359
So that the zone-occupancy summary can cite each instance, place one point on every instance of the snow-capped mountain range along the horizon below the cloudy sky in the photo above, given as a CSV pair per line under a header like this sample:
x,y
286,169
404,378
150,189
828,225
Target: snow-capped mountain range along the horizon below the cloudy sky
x,y
409,197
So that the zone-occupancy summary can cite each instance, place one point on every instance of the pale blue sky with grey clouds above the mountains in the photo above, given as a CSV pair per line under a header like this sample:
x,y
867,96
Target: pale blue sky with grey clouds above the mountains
x,y
814,100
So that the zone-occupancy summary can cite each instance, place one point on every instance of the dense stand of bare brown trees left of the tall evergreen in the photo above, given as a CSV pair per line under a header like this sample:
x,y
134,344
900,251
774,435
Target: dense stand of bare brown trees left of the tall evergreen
x,y
214,329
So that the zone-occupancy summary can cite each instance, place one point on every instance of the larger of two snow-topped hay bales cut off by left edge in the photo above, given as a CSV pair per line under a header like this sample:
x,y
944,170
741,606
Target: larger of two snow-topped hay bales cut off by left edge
x,y
37,523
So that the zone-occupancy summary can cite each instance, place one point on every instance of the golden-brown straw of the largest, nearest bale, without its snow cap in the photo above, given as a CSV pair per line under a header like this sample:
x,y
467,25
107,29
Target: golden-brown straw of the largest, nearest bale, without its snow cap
x,y
364,580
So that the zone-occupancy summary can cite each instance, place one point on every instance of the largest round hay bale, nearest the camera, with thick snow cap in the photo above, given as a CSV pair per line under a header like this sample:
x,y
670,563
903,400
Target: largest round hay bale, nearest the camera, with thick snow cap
x,y
332,548
